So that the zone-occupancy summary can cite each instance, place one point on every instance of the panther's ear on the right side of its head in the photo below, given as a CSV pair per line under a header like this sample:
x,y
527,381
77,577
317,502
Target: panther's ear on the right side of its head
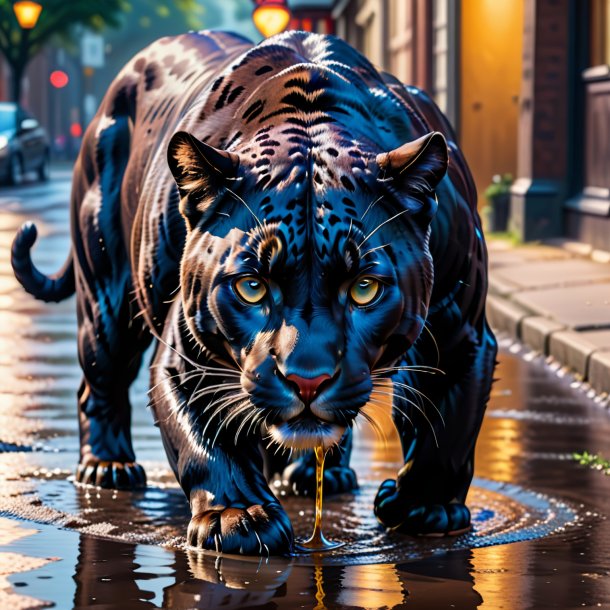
x,y
416,166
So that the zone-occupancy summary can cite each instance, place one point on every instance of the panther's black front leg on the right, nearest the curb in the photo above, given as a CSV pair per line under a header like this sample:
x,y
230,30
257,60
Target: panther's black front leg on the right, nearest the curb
x,y
428,496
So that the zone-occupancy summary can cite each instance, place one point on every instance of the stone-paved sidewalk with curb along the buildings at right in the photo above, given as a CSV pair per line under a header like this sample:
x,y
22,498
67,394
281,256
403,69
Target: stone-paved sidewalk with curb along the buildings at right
x,y
555,298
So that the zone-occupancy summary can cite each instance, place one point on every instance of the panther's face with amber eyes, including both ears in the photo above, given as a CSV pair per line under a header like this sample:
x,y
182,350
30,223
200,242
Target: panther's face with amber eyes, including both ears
x,y
311,293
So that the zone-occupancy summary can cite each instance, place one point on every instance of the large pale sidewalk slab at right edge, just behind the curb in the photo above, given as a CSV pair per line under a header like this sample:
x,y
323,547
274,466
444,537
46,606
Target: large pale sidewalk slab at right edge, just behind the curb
x,y
577,307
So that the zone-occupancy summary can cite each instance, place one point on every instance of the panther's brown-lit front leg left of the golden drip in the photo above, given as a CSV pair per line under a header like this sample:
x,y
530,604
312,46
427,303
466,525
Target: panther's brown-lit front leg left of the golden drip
x,y
233,510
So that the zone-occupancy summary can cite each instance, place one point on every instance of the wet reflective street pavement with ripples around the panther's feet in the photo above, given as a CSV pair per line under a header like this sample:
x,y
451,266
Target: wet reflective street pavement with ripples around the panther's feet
x,y
541,538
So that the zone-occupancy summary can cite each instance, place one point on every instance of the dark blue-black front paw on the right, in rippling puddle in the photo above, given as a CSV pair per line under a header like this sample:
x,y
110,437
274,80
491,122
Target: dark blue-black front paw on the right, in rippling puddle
x,y
395,512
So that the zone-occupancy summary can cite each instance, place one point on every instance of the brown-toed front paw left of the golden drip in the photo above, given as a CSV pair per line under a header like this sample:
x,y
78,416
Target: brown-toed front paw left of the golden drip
x,y
256,530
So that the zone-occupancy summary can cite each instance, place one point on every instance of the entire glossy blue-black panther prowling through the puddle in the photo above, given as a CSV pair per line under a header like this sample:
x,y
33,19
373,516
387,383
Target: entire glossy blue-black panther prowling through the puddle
x,y
297,233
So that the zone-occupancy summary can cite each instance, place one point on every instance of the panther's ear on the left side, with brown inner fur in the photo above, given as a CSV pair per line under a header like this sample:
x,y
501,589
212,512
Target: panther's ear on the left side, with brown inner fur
x,y
200,171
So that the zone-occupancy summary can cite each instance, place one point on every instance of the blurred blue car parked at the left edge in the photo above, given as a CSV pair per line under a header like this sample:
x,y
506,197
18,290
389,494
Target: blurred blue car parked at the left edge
x,y
24,145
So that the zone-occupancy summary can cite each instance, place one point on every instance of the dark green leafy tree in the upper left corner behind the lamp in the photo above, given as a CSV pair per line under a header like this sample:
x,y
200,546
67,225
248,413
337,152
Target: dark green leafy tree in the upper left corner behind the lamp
x,y
61,19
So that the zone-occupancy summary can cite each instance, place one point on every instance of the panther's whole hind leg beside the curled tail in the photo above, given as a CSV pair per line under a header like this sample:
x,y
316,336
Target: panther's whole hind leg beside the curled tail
x,y
111,335
